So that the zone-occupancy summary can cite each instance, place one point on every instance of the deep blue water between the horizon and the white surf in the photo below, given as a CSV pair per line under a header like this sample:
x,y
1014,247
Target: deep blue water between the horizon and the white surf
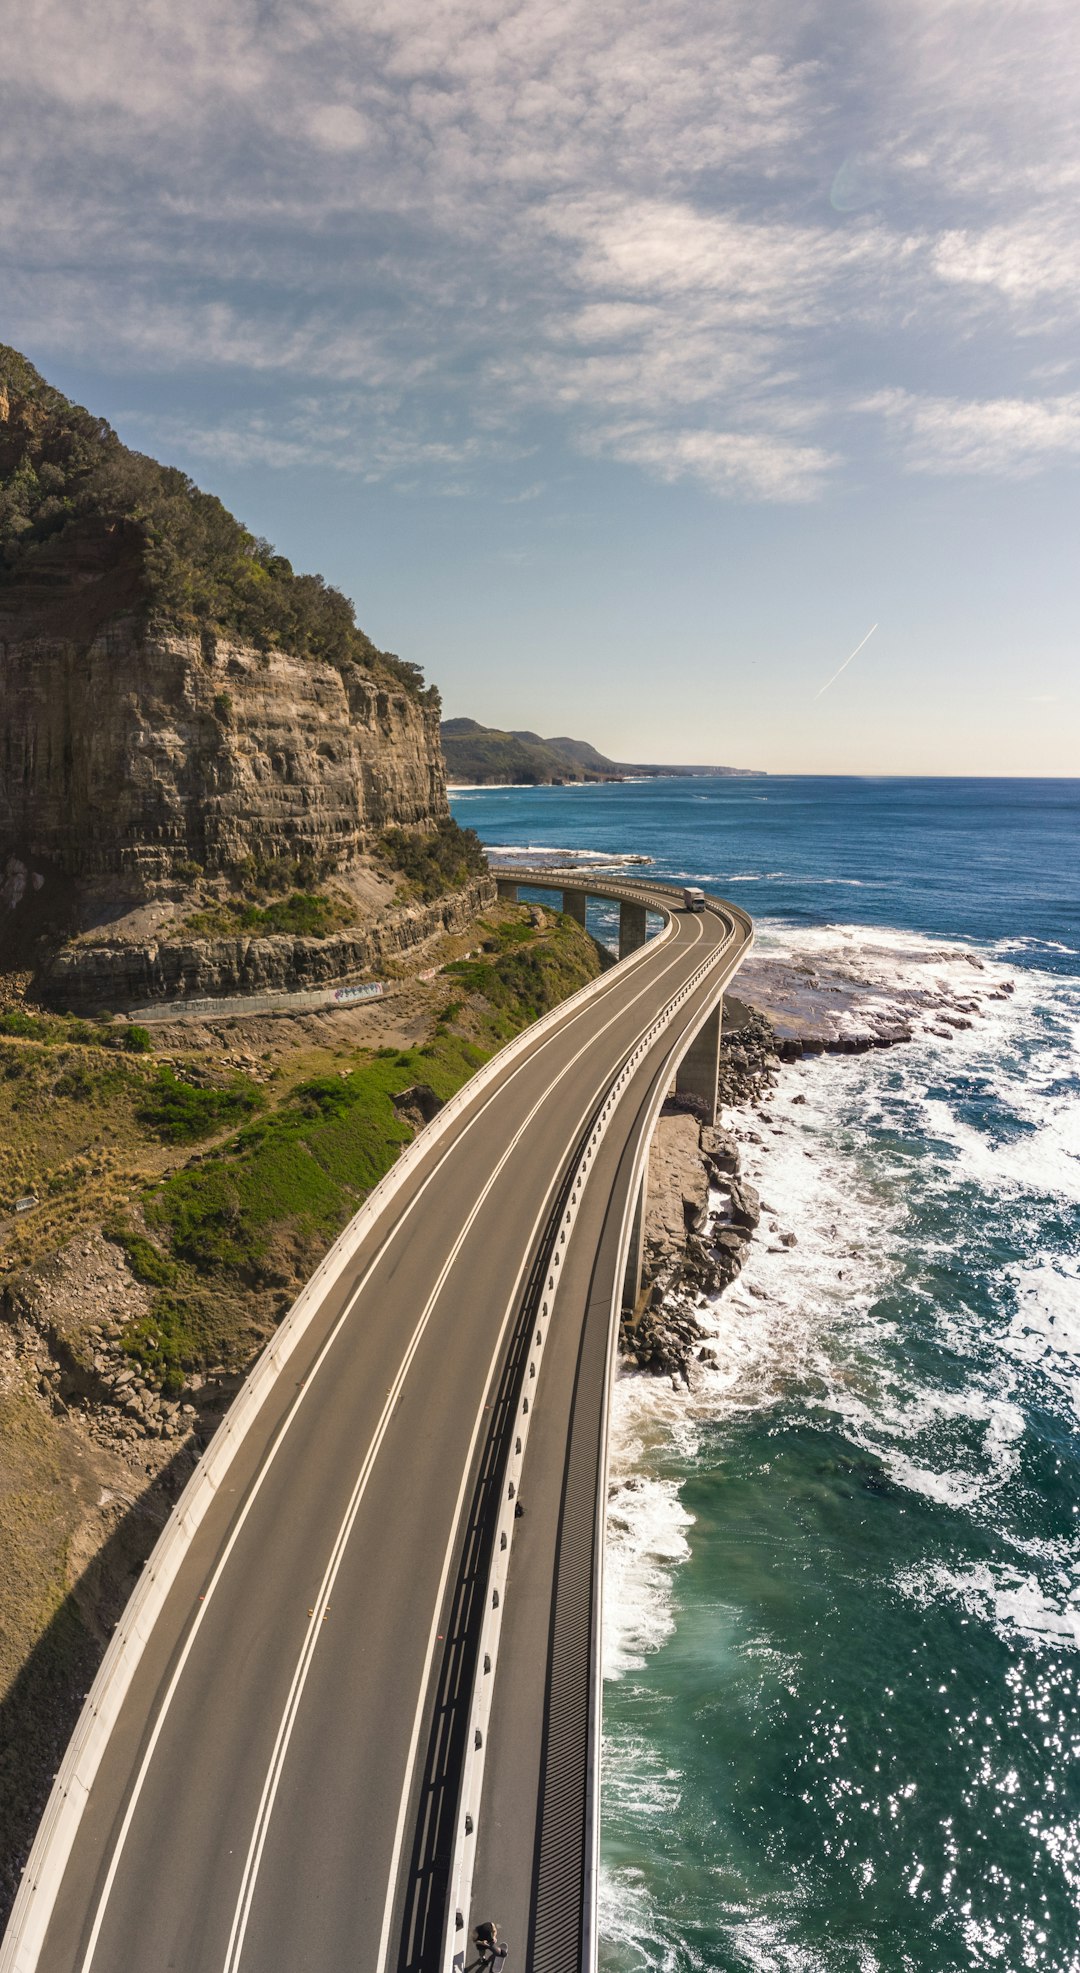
x,y
955,859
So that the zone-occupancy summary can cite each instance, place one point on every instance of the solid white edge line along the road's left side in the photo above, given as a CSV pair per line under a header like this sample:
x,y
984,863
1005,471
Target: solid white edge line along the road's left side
x,y
305,1392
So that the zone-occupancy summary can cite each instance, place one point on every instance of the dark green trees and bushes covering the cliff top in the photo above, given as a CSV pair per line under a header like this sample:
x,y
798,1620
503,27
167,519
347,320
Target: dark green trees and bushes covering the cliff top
x,y
66,475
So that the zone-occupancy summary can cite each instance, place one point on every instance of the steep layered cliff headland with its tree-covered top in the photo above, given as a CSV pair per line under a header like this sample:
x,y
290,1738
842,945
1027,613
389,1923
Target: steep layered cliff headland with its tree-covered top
x,y
212,780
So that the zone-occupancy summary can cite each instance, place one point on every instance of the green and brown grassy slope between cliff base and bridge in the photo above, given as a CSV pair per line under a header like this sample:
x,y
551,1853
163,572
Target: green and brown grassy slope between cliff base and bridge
x,y
234,1228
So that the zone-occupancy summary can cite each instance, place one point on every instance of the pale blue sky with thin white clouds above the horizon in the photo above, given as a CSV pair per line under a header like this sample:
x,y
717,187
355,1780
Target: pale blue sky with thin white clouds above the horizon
x,y
623,362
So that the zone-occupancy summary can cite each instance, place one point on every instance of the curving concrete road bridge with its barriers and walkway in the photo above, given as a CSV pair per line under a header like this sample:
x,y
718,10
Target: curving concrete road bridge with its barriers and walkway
x,y
354,1704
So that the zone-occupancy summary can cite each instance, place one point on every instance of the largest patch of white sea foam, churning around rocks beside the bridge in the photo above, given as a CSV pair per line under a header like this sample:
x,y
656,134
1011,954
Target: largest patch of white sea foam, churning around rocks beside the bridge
x,y
814,1313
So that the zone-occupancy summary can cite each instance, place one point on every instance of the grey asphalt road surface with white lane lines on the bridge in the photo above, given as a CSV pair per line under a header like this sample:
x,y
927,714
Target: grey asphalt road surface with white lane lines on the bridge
x,y
264,1802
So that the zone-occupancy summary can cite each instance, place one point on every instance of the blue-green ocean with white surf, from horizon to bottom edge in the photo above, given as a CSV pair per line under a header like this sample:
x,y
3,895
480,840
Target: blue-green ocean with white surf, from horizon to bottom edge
x,y
842,1719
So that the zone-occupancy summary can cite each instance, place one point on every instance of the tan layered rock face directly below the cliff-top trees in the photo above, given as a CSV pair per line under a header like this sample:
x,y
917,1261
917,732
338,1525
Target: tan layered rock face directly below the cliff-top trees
x,y
145,753
